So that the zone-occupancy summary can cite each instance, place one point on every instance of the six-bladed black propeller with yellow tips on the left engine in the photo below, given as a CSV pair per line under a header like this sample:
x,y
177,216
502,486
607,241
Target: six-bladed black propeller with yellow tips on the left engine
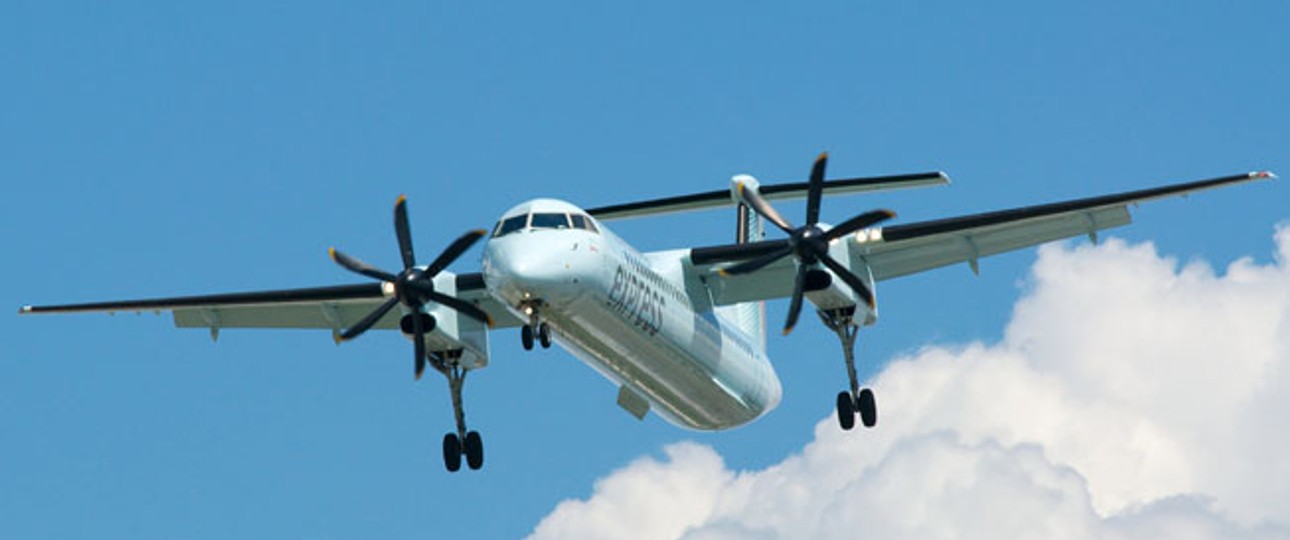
x,y
415,287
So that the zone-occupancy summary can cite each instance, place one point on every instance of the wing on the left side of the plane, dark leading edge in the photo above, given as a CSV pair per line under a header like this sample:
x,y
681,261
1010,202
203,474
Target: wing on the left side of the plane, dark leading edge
x,y
331,307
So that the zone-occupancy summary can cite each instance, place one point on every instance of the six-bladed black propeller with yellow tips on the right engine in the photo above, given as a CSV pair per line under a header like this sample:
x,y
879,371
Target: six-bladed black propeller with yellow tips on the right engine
x,y
809,243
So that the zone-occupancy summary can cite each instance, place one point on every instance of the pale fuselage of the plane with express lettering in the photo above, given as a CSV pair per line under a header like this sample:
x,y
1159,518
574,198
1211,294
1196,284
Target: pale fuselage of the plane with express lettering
x,y
633,319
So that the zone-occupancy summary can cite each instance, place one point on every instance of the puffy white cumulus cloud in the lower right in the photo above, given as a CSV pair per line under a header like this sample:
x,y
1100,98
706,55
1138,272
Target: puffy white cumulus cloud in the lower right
x,y
1129,398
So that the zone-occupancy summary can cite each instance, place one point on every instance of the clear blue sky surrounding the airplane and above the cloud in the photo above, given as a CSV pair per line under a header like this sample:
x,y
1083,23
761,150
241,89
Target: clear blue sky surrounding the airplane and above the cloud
x,y
163,149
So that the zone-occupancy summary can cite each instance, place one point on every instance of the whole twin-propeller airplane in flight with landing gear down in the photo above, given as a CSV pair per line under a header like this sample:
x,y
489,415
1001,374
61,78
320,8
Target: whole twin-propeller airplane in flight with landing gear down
x,y
680,332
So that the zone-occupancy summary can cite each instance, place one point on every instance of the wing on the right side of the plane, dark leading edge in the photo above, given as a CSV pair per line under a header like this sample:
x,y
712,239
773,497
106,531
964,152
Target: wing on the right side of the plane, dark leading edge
x,y
906,249
